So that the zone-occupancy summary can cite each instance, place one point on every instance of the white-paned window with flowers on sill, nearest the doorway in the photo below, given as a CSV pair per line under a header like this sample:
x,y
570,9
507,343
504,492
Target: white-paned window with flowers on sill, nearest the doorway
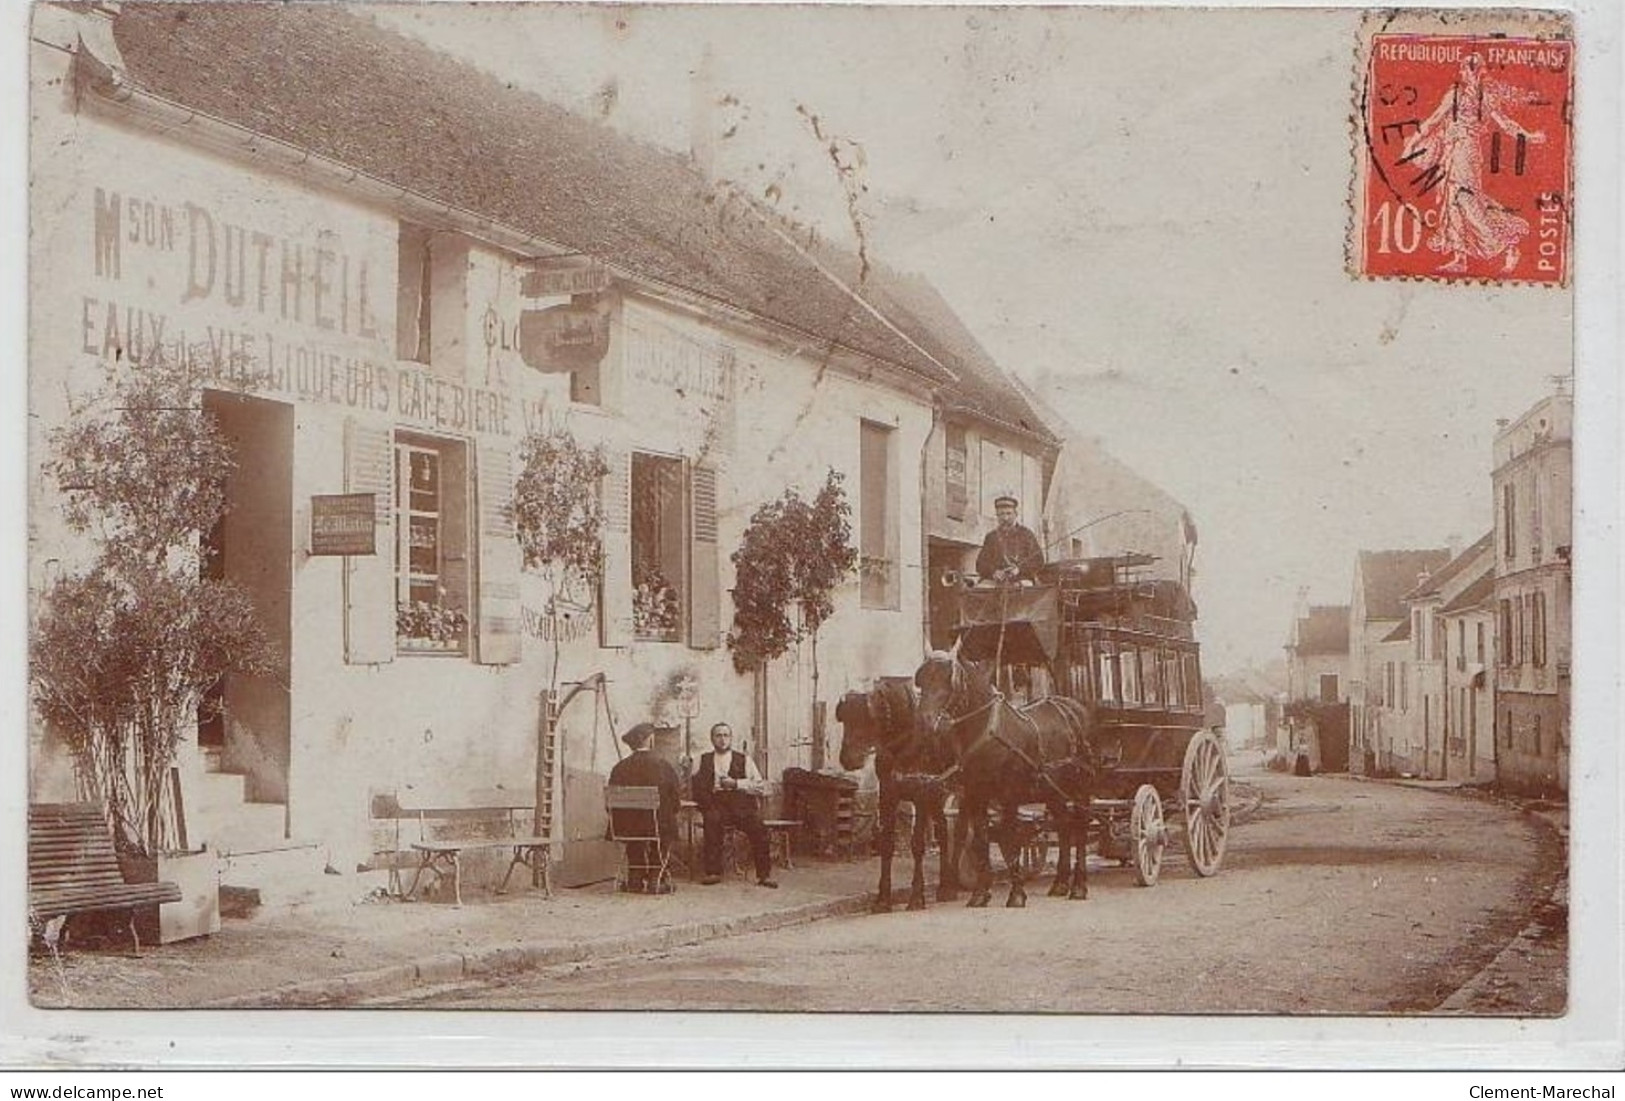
x,y
431,545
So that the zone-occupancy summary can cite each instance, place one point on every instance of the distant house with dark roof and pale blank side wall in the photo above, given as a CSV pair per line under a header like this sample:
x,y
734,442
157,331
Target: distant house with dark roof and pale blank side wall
x,y
1379,645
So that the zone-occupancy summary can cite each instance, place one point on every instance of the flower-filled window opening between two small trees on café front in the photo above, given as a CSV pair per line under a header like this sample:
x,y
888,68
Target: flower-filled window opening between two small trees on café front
x,y
657,548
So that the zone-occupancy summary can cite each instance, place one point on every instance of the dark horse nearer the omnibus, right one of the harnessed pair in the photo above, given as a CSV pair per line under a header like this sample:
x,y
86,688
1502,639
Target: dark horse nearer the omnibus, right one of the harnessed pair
x,y
1010,756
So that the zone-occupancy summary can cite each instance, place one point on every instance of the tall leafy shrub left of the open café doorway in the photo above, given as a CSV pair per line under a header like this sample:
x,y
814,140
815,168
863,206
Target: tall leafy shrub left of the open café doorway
x,y
126,652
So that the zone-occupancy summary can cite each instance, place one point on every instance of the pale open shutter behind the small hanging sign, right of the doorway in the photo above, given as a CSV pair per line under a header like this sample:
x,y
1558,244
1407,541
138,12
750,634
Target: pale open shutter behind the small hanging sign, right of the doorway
x,y
370,581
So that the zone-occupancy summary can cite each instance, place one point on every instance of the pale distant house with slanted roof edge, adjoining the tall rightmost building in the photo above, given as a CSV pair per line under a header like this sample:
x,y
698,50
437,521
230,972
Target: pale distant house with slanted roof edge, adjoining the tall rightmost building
x,y
1447,706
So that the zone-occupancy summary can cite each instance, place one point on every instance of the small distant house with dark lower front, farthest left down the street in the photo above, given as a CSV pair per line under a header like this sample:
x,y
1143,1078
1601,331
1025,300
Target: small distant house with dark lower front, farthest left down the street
x,y
1319,688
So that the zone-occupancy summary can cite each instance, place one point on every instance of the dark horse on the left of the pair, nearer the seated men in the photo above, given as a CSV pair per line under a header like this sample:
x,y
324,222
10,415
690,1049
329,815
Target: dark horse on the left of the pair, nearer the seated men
x,y
912,769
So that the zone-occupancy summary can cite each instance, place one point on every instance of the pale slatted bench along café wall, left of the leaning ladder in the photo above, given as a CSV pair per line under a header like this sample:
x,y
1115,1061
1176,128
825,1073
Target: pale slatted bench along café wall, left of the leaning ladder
x,y
485,827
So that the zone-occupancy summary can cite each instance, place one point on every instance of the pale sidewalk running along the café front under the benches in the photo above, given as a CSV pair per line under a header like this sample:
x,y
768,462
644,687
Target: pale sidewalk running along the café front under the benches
x,y
339,951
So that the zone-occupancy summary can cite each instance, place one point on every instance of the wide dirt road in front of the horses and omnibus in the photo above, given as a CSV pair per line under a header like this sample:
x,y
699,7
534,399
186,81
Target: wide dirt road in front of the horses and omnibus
x,y
1337,897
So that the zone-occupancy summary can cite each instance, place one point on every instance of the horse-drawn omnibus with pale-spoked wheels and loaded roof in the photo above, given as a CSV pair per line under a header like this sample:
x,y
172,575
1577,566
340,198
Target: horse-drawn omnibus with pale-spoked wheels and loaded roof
x,y
1124,644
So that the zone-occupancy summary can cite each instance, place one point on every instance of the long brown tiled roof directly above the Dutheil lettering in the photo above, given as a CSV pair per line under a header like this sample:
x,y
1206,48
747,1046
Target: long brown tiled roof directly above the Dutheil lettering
x,y
336,84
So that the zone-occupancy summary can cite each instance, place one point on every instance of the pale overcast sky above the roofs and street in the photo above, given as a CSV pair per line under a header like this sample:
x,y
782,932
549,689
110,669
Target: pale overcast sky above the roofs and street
x,y
1142,214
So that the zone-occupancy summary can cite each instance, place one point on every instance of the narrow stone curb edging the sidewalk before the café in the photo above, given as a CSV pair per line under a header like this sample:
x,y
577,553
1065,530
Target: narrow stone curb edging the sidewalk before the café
x,y
449,967
